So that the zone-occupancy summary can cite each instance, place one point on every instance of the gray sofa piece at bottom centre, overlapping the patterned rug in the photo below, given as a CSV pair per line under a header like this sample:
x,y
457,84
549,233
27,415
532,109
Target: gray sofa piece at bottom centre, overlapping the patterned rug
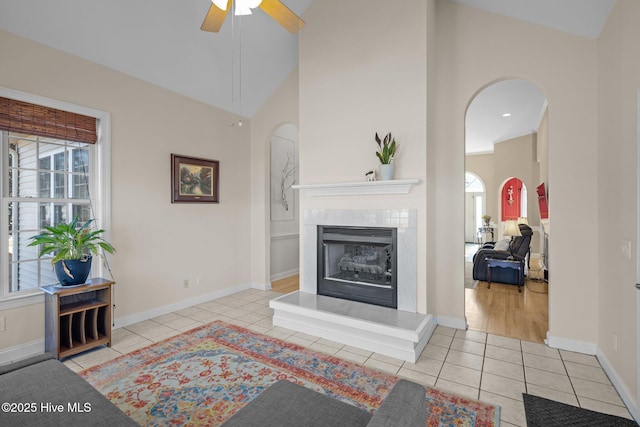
x,y
286,404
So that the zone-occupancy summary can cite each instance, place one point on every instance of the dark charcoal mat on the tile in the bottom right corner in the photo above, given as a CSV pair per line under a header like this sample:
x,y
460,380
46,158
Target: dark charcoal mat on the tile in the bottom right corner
x,y
541,412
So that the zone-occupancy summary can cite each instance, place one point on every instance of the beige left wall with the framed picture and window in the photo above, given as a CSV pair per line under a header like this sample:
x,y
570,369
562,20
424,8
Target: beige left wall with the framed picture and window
x,y
159,244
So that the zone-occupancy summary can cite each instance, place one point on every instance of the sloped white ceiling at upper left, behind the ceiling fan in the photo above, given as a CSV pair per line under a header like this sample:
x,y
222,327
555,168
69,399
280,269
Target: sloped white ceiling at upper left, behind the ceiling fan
x,y
160,41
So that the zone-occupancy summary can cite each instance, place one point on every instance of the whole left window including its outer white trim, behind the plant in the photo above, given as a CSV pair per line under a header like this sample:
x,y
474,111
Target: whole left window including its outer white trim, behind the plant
x,y
46,180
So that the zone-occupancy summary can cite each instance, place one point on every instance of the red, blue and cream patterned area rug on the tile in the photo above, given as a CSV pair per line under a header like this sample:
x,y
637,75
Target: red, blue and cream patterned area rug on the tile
x,y
204,376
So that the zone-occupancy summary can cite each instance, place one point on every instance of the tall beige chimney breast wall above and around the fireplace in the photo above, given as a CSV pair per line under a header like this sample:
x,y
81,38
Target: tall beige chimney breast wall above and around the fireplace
x,y
362,71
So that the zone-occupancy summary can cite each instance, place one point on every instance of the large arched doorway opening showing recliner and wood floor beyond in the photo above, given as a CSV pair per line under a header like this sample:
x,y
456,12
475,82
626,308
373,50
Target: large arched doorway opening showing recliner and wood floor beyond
x,y
505,147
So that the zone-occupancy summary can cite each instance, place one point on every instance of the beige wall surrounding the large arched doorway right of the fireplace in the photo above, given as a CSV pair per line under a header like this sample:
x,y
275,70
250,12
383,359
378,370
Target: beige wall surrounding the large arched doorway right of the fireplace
x,y
476,48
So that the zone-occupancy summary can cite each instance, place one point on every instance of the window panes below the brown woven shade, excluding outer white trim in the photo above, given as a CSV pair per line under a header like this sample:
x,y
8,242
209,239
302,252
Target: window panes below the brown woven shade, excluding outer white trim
x,y
49,184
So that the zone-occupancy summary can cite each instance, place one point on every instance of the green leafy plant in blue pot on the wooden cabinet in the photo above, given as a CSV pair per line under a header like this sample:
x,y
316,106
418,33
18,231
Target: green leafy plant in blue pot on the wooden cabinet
x,y
72,247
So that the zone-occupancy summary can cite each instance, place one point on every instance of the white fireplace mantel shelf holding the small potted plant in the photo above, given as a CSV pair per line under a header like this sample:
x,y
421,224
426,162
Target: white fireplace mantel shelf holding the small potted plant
x,y
395,186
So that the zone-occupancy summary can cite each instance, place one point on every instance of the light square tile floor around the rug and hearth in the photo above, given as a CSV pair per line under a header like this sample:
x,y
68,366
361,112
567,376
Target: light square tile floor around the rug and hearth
x,y
481,366
